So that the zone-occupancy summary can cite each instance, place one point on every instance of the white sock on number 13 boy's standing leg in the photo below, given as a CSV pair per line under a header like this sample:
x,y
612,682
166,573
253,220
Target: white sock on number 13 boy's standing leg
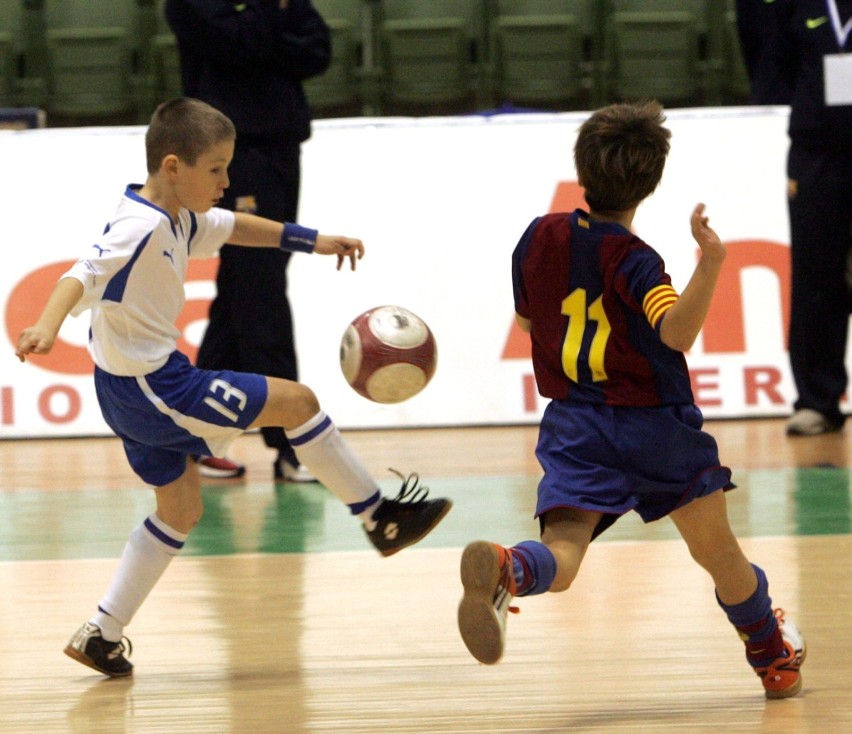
x,y
149,550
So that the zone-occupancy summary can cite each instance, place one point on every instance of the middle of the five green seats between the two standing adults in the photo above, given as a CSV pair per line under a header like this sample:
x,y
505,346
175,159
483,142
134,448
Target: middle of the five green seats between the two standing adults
x,y
542,51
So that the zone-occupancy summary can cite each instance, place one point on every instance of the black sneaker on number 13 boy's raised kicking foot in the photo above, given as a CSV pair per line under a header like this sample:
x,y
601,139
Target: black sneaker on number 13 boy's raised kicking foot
x,y
407,518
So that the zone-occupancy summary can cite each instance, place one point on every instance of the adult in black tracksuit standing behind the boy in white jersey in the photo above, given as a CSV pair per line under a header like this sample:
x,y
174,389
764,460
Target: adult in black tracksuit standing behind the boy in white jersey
x,y
249,59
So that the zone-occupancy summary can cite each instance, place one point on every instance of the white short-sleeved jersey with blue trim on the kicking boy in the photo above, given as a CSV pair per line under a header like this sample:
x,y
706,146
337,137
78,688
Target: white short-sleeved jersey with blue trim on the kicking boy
x,y
133,280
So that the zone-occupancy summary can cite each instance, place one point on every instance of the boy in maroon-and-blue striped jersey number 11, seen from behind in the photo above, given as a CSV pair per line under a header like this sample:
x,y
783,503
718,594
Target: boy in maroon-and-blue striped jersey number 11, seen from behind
x,y
622,431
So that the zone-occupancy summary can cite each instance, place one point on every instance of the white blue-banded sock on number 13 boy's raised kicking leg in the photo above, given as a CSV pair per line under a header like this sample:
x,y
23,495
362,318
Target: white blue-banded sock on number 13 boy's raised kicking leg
x,y
321,448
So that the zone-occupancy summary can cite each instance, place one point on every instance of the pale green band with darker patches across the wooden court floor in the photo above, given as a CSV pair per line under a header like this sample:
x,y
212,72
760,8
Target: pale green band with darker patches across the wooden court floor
x,y
286,518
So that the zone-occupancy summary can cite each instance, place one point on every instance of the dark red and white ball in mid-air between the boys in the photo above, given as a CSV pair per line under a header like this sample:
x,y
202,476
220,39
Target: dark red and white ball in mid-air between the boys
x,y
388,354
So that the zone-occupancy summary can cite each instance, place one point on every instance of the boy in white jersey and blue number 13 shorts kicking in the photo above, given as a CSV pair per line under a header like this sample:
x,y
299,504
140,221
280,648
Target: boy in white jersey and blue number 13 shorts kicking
x,y
165,410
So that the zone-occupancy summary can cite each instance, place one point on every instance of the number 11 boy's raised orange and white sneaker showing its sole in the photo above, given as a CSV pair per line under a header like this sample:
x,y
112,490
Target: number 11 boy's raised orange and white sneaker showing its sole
x,y
489,585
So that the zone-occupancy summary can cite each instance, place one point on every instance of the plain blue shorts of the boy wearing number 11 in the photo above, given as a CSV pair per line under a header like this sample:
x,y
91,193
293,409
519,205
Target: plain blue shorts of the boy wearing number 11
x,y
616,459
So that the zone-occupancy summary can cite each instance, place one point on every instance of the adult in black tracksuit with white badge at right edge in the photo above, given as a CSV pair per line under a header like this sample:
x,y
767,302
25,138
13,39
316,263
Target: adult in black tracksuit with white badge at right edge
x,y
819,170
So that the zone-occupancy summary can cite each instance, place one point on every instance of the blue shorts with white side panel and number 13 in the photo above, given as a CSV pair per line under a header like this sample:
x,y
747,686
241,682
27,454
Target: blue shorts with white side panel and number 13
x,y
178,411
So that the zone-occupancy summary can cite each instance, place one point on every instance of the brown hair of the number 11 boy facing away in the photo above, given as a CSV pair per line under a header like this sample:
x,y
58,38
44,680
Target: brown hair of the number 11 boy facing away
x,y
620,154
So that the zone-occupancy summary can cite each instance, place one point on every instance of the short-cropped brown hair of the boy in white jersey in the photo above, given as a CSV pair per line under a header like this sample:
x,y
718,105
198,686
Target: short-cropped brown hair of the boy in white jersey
x,y
187,128
